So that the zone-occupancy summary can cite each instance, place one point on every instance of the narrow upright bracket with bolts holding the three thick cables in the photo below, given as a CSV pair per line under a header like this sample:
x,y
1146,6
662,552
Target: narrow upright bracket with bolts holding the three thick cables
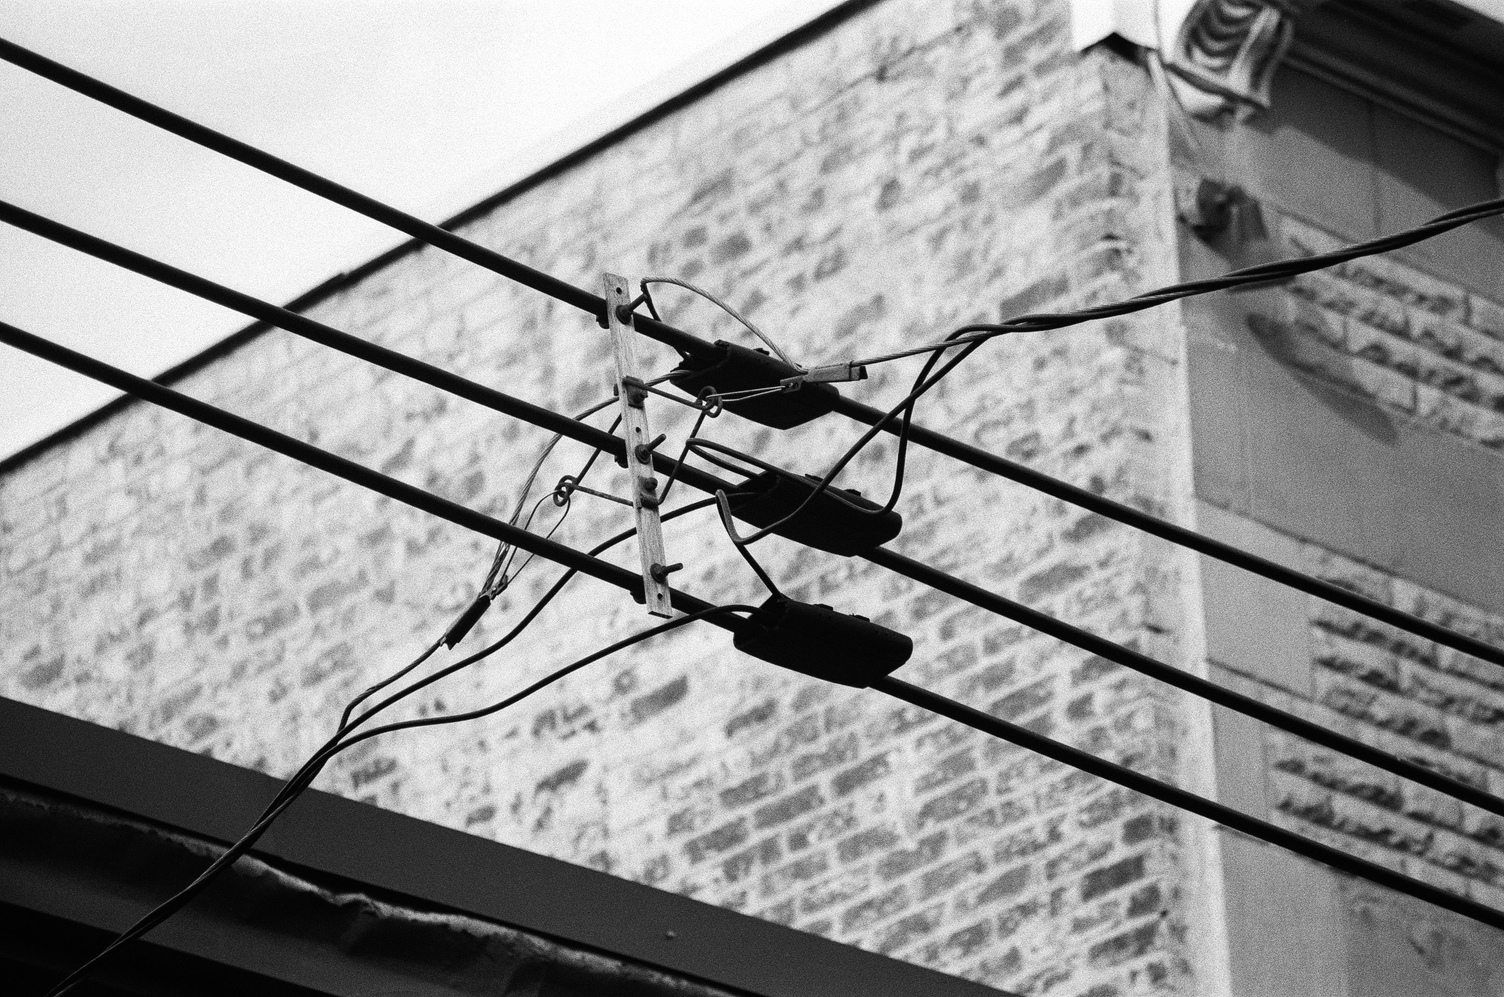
x,y
635,431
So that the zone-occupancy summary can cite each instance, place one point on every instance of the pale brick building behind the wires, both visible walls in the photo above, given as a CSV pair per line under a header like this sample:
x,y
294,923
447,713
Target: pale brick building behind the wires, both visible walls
x,y
905,169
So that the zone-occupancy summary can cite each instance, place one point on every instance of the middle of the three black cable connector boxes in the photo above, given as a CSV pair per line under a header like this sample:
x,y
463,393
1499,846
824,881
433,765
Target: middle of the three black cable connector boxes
x,y
838,521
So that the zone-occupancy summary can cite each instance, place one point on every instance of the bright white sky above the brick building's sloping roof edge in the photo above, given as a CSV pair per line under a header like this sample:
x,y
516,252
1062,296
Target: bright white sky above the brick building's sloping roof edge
x,y
419,103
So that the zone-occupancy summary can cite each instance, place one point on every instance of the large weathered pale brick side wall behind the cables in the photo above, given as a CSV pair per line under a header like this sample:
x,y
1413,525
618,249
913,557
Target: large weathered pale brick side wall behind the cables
x,y
918,168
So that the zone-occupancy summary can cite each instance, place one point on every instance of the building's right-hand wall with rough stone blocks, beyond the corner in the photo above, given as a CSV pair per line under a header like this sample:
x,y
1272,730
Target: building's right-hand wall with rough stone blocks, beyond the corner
x,y
1348,425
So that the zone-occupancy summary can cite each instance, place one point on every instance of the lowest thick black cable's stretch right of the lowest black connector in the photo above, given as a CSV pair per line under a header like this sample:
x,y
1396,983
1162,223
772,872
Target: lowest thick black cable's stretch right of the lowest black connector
x,y
1186,801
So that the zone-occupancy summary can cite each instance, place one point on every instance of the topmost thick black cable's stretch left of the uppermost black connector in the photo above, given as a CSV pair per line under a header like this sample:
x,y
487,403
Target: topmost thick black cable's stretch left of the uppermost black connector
x,y
344,196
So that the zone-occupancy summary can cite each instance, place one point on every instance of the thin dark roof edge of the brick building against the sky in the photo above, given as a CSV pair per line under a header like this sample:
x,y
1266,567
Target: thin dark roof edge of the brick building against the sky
x,y
583,151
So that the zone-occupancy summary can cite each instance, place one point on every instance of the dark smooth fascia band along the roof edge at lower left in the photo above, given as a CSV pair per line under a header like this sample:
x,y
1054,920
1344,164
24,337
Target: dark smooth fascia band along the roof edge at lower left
x,y
447,868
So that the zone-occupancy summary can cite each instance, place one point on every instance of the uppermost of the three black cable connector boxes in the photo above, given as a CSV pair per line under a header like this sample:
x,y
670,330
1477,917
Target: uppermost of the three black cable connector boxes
x,y
741,369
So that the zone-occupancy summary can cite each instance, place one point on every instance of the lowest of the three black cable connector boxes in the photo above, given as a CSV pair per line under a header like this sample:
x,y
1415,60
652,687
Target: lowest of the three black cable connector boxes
x,y
819,641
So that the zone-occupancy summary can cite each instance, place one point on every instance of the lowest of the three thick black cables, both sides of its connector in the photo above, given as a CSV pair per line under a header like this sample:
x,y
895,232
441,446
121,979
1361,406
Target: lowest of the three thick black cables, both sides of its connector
x,y
622,578
